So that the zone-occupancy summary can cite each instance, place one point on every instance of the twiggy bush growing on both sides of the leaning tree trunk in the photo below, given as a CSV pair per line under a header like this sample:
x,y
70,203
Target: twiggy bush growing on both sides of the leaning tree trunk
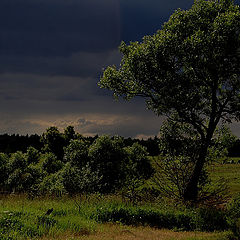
x,y
180,146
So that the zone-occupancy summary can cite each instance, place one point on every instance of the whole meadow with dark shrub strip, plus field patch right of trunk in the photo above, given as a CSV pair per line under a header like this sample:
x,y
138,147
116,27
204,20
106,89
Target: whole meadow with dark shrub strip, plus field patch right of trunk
x,y
96,216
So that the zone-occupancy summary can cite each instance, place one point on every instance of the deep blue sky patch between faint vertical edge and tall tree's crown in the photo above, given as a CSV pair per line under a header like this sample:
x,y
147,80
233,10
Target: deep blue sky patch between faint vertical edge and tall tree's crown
x,y
140,18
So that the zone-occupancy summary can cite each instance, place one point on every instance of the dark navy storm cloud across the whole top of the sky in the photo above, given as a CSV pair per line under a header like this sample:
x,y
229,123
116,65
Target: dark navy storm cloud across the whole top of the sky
x,y
60,28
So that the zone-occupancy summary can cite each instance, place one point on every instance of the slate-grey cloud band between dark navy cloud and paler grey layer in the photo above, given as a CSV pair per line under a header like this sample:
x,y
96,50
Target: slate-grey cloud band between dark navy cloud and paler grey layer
x,y
83,64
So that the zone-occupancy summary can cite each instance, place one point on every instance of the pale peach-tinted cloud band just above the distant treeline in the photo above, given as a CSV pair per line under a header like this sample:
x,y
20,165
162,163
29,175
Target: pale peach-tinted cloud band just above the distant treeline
x,y
88,124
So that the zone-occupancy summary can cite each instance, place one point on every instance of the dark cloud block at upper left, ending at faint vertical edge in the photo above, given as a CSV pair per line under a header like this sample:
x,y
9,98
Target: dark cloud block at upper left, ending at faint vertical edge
x,y
57,28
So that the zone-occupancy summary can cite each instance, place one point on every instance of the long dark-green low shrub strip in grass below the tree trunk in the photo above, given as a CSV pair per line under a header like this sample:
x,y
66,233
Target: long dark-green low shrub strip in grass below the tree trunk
x,y
207,219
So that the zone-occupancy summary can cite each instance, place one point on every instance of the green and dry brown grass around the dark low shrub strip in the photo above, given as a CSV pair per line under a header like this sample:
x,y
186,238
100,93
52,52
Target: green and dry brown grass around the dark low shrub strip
x,y
22,218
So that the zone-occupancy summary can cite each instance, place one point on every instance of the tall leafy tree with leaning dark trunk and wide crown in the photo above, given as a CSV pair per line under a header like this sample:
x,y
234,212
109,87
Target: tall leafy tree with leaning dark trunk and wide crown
x,y
189,71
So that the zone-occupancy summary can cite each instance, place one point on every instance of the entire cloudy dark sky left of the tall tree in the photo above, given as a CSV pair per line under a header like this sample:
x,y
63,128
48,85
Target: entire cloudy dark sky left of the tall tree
x,y
52,55
